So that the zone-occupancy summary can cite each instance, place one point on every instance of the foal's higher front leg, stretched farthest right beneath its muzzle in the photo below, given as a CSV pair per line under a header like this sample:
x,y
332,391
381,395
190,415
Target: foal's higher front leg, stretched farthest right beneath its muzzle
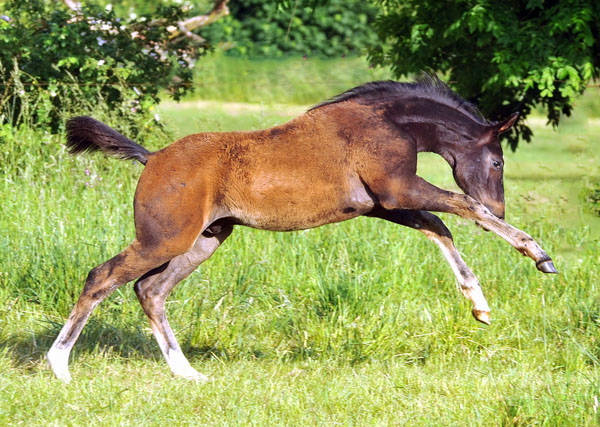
x,y
417,194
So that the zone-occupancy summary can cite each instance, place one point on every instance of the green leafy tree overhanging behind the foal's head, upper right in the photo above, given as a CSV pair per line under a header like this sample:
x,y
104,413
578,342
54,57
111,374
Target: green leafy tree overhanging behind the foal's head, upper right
x,y
505,56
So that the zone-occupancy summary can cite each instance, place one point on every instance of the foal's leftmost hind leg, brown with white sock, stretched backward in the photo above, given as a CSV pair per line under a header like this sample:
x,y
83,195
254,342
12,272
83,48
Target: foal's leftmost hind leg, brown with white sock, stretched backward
x,y
134,261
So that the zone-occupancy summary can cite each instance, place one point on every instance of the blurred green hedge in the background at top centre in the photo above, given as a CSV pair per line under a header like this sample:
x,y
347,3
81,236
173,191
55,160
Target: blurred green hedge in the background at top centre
x,y
264,29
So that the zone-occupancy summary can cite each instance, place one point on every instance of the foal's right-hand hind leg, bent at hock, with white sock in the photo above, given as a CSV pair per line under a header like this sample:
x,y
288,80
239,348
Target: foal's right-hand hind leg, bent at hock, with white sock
x,y
153,289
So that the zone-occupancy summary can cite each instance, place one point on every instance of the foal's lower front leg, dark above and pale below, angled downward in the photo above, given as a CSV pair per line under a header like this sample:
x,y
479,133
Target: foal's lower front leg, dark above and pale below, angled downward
x,y
435,230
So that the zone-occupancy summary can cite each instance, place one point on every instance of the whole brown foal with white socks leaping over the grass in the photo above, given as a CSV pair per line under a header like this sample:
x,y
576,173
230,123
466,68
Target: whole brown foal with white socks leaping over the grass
x,y
355,154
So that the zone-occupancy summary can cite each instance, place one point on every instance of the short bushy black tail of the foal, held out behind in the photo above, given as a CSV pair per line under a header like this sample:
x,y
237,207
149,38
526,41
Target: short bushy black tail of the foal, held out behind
x,y
85,134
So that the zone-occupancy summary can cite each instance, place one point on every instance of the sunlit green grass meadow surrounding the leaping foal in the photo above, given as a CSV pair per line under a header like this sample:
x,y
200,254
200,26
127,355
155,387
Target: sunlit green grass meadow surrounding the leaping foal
x,y
358,323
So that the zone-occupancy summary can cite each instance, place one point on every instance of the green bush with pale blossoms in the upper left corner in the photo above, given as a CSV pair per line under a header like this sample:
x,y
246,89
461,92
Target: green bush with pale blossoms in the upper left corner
x,y
53,63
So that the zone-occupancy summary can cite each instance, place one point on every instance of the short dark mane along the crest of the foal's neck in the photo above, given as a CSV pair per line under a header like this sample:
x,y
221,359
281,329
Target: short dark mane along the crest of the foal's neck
x,y
426,86
